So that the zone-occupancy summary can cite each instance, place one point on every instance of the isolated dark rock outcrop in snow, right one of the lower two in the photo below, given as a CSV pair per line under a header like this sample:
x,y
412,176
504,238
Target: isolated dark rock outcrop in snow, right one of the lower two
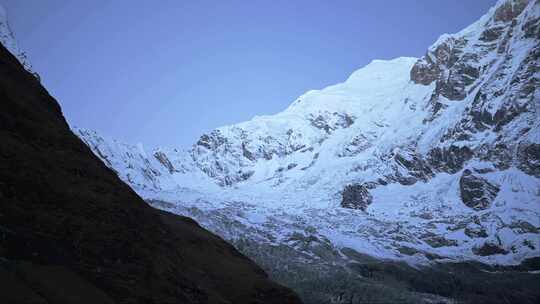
x,y
476,192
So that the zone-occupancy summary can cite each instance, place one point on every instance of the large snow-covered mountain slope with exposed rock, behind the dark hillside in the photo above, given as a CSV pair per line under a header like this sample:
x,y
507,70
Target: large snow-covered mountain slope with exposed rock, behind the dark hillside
x,y
436,158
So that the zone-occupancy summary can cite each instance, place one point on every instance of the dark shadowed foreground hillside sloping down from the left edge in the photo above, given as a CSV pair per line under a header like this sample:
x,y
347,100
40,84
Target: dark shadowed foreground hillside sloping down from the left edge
x,y
72,232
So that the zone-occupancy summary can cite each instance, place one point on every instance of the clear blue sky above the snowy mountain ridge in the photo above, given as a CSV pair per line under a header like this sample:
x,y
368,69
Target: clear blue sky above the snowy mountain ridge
x,y
164,72
